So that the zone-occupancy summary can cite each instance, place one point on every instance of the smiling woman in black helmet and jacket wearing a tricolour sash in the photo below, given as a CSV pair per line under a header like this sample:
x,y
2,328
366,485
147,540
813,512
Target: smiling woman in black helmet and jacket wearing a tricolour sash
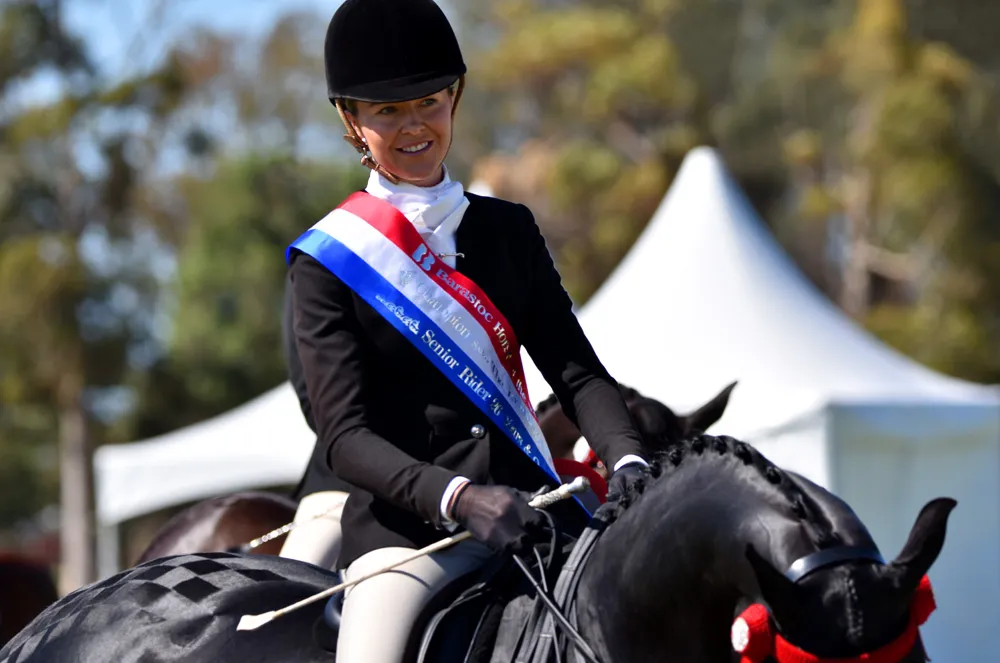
x,y
410,302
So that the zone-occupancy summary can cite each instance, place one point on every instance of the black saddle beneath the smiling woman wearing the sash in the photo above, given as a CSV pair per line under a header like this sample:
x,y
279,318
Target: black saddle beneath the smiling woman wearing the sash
x,y
495,615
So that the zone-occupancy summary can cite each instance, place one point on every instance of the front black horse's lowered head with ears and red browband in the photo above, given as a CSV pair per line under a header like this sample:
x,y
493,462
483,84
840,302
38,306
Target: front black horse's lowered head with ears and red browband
x,y
847,607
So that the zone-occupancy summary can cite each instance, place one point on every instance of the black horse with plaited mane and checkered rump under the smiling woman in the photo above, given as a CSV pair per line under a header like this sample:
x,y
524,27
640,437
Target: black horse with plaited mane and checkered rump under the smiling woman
x,y
719,530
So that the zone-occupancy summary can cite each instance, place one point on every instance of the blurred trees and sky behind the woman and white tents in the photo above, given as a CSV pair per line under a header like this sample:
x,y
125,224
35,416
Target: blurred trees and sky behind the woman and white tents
x,y
156,156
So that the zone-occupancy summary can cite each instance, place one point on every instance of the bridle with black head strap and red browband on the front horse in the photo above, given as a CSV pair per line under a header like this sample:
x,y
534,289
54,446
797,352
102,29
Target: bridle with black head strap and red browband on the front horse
x,y
756,639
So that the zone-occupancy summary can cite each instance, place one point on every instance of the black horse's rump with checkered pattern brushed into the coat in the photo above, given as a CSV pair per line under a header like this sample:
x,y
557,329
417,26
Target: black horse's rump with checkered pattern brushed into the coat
x,y
171,605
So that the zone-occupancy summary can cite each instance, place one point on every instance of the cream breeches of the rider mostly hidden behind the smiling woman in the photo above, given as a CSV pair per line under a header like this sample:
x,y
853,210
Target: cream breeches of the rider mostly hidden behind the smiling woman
x,y
316,540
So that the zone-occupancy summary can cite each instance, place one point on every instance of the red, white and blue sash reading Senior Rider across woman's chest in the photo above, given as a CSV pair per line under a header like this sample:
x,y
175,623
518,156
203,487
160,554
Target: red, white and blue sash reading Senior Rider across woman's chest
x,y
377,253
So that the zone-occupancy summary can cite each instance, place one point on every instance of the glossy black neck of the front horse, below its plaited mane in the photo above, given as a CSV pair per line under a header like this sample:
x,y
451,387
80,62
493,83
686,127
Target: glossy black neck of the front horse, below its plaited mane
x,y
673,565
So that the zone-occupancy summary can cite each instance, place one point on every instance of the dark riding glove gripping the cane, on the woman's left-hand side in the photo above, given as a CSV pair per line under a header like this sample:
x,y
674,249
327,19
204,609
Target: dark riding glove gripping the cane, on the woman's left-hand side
x,y
499,517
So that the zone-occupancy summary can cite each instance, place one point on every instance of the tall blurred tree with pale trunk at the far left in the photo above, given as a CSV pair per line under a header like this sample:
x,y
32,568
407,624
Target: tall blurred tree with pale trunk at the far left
x,y
75,284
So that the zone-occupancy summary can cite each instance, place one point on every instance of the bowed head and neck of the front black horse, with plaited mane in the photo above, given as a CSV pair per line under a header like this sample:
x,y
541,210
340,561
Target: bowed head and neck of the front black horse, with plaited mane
x,y
720,538
